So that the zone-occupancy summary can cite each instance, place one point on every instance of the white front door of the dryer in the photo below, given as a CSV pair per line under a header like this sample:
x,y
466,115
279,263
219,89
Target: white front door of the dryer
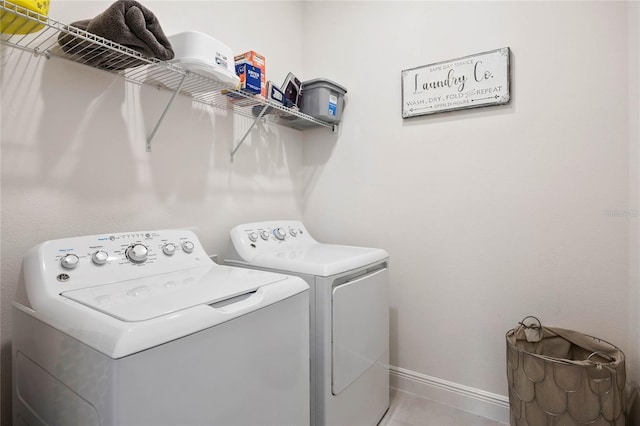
x,y
360,327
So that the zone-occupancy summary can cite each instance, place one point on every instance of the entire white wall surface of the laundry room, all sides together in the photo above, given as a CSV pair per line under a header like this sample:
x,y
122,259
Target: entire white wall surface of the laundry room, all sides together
x,y
489,215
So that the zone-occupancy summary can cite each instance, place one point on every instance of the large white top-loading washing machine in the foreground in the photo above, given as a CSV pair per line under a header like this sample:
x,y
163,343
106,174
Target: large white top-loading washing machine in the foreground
x,y
144,329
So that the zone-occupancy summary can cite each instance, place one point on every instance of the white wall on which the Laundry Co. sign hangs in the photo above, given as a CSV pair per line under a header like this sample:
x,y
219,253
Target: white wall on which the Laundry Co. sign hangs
x,y
492,214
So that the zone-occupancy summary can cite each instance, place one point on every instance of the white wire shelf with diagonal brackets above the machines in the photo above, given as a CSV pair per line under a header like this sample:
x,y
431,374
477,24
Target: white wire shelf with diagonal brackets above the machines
x,y
74,44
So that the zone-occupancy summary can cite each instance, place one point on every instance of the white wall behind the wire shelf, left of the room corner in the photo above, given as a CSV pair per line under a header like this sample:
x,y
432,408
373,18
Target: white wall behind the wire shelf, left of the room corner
x,y
73,158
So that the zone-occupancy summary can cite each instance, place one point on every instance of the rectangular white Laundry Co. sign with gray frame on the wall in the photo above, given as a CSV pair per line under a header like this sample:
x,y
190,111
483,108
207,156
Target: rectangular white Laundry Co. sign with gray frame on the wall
x,y
469,82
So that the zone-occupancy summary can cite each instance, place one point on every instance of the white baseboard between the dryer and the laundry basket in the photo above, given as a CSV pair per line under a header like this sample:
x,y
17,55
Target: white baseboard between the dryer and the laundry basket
x,y
472,400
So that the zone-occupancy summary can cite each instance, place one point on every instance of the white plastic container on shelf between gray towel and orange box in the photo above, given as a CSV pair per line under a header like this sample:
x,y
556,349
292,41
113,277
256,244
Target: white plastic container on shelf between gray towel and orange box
x,y
206,56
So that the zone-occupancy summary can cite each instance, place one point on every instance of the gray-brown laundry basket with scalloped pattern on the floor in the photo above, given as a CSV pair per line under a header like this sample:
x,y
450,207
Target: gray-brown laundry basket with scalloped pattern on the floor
x,y
562,377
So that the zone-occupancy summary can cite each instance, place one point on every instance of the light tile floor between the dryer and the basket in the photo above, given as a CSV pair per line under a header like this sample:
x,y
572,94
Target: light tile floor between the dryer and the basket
x,y
409,410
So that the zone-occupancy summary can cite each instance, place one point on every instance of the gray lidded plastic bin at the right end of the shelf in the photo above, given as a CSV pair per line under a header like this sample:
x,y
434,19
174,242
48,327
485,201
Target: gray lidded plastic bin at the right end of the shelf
x,y
323,99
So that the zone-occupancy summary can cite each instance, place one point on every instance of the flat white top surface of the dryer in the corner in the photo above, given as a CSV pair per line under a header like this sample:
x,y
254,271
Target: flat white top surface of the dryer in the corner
x,y
319,259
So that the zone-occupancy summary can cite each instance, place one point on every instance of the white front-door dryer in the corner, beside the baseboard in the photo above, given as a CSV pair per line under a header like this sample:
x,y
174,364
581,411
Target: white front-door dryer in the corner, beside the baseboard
x,y
349,319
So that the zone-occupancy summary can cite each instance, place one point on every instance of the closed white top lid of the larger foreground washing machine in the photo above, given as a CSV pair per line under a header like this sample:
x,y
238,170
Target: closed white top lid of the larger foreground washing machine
x,y
151,297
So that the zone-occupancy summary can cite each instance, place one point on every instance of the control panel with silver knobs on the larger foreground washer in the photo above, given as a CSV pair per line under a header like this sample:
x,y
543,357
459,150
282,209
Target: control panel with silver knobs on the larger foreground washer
x,y
87,261
